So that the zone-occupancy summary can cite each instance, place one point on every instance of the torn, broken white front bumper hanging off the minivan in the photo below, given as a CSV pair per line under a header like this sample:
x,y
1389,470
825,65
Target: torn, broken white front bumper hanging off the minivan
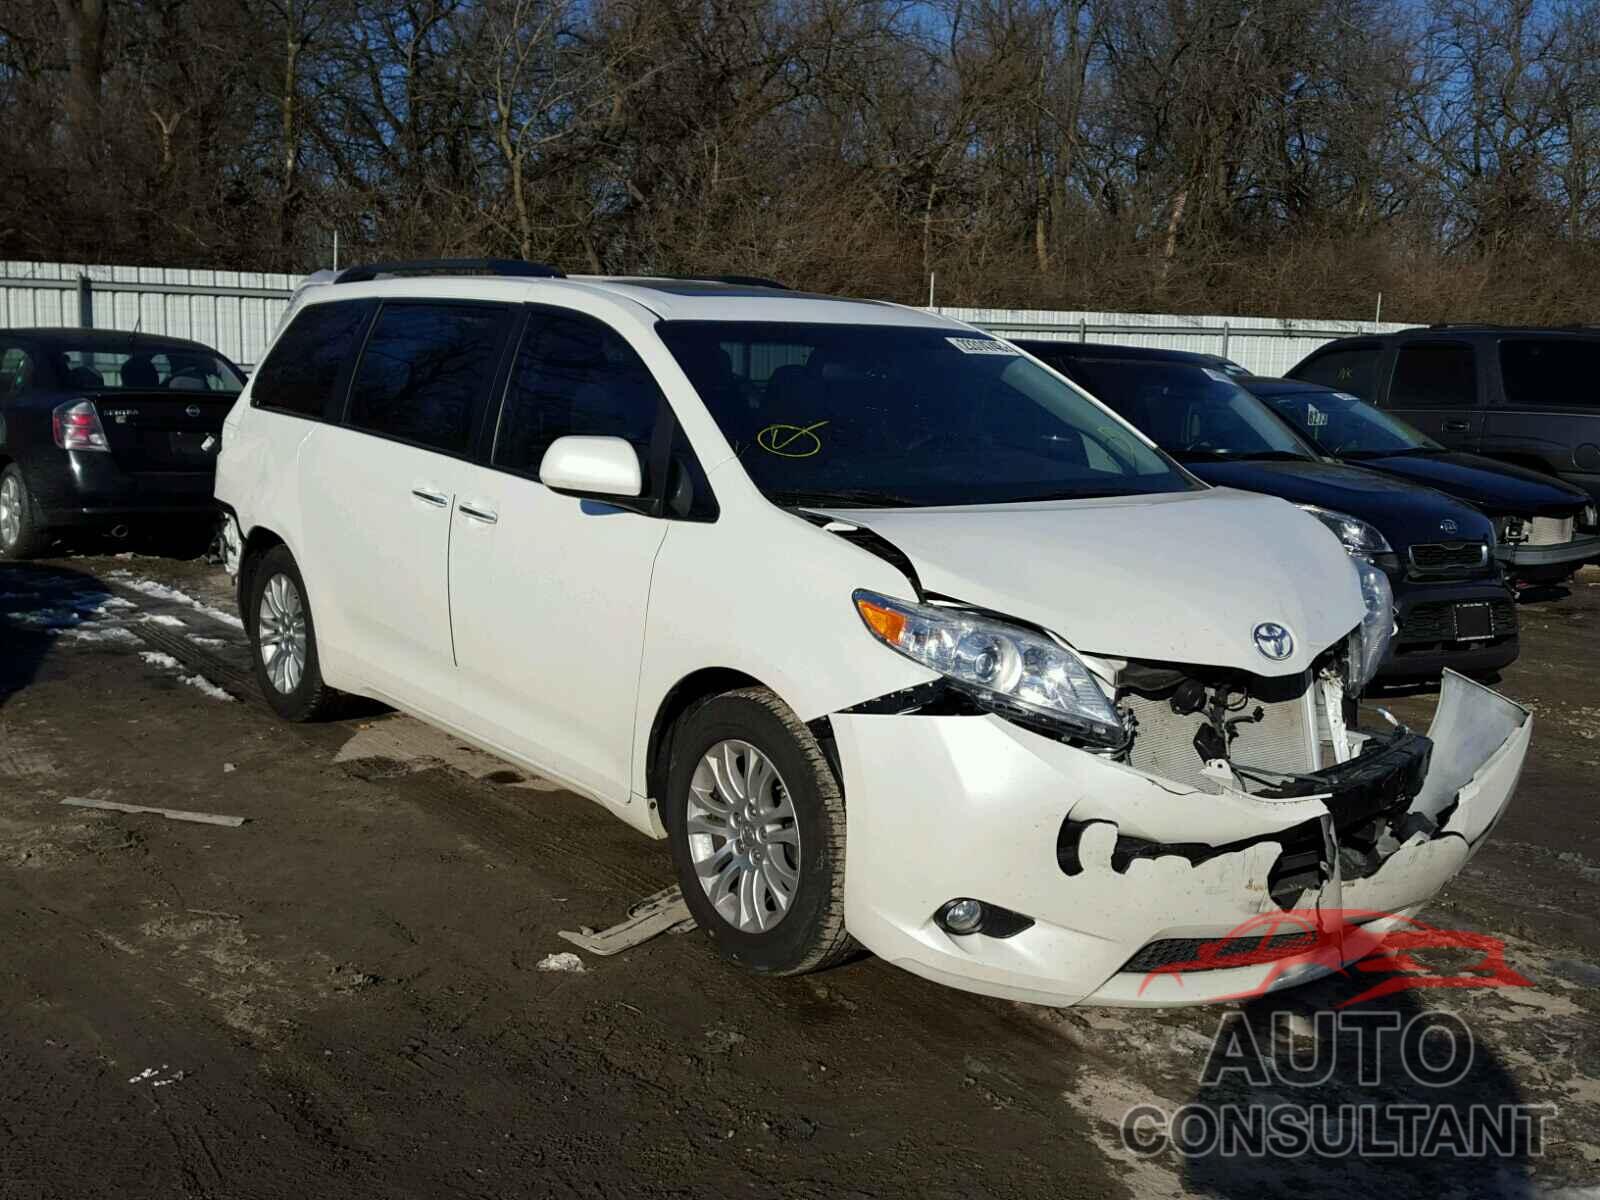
x,y
1111,863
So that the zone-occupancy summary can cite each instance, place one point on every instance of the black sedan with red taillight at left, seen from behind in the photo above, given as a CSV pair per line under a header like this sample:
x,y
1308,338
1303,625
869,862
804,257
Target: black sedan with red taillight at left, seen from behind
x,y
103,430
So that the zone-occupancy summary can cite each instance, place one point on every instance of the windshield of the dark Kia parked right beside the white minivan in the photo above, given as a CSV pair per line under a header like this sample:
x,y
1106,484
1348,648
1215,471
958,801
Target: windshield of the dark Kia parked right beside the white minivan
x,y
1191,412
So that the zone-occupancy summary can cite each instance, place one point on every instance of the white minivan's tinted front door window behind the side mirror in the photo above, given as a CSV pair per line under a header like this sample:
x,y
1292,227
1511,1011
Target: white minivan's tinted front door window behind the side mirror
x,y
575,375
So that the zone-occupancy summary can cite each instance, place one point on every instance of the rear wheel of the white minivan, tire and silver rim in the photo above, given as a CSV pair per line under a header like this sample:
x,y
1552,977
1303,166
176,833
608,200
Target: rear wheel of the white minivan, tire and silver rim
x,y
284,641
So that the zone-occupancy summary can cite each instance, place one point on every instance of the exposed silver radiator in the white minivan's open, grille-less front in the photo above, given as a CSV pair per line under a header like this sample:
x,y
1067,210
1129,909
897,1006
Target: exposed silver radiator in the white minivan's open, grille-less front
x,y
1164,742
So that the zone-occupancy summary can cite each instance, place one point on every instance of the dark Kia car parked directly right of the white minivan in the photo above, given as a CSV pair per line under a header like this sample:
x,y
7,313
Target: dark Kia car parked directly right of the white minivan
x,y
1454,606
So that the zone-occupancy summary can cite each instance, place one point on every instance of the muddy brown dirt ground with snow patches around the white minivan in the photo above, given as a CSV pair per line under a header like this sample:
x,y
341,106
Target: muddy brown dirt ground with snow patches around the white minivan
x,y
345,996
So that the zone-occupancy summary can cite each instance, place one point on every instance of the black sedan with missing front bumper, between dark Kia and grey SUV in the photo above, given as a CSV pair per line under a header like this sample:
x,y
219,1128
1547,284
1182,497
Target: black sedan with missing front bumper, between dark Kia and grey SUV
x,y
1546,529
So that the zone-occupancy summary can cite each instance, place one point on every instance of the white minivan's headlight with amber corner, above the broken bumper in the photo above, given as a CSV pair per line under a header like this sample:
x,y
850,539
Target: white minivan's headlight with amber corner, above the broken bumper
x,y
1004,668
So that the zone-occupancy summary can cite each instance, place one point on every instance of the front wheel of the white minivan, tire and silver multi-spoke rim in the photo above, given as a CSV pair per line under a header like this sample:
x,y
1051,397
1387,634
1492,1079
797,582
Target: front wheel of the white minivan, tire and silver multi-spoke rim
x,y
758,826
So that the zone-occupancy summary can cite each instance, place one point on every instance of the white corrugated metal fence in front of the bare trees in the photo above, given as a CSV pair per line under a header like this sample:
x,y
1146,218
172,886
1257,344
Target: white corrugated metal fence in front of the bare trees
x,y
238,311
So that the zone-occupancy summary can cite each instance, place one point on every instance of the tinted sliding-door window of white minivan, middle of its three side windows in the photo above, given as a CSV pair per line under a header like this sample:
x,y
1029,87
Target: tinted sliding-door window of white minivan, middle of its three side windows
x,y
426,370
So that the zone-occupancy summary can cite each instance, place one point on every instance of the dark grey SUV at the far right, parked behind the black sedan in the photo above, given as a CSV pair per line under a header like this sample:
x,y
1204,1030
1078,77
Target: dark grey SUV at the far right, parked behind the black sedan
x,y
1526,396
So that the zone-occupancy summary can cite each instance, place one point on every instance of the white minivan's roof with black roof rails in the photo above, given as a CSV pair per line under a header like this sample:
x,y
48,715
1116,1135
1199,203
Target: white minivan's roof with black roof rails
x,y
687,300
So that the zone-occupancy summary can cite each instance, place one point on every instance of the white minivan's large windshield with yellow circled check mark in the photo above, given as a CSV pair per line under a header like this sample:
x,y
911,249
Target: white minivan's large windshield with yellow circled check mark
x,y
855,415
